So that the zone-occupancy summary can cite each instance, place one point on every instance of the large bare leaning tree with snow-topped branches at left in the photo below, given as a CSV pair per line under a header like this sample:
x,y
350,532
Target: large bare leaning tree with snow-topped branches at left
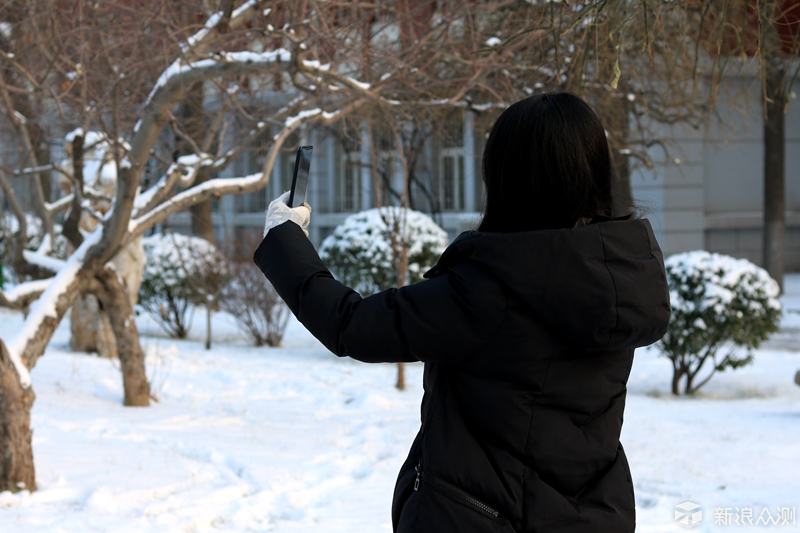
x,y
316,51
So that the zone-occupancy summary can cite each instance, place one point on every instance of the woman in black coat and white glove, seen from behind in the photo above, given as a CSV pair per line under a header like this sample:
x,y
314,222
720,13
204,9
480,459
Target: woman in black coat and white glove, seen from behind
x,y
527,328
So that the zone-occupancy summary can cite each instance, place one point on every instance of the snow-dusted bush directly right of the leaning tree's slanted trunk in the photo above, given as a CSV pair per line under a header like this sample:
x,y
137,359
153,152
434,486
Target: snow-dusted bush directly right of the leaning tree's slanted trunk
x,y
178,270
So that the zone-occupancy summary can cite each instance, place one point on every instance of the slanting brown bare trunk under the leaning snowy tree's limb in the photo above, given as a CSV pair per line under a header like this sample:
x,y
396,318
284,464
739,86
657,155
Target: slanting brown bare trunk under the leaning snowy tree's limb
x,y
116,303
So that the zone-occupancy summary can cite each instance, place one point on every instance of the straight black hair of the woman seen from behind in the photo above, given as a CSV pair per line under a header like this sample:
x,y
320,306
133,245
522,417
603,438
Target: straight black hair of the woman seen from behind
x,y
546,165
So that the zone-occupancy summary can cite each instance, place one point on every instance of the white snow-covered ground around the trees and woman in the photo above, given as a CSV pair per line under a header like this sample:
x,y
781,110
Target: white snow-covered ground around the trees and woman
x,y
294,439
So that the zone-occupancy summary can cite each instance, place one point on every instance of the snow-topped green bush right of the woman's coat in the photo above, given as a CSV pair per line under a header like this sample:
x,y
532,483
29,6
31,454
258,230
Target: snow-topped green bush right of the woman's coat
x,y
720,305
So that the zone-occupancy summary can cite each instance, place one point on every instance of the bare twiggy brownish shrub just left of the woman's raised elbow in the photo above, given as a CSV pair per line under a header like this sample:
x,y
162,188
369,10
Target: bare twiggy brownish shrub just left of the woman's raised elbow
x,y
255,305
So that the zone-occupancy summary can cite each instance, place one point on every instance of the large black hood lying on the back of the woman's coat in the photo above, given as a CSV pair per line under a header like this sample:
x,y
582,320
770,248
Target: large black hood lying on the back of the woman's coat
x,y
601,286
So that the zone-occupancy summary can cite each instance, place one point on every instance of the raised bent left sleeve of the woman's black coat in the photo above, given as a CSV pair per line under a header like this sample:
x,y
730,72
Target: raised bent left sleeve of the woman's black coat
x,y
448,318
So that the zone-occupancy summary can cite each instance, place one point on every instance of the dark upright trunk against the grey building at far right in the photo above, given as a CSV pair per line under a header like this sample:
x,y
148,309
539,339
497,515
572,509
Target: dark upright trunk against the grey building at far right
x,y
774,172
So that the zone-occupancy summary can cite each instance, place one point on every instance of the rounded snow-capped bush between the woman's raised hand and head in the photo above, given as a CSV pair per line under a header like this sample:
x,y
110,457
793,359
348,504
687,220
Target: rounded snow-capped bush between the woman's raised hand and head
x,y
359,252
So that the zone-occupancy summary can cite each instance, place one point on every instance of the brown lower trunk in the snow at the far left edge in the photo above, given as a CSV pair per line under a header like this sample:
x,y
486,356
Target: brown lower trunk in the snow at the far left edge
x,y
16,452
